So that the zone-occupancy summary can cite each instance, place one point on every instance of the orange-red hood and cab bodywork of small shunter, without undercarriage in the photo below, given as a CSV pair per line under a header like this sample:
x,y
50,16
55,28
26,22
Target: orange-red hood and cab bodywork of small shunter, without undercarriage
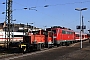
x,y
39,37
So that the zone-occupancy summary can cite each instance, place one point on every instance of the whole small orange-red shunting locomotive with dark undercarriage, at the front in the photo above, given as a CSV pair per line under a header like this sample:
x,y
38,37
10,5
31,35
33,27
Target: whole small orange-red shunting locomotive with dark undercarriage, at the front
x,y
36,40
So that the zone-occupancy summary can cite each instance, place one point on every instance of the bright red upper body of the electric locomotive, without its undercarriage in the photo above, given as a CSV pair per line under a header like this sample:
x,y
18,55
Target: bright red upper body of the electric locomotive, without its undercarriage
x,y
63,35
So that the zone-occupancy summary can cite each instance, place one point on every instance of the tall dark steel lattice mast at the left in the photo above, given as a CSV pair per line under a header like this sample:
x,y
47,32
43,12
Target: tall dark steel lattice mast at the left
x,y
8,18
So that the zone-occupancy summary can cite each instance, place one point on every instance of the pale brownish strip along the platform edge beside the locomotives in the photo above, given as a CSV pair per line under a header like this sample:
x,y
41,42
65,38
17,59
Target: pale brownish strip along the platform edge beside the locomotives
x,y
14,55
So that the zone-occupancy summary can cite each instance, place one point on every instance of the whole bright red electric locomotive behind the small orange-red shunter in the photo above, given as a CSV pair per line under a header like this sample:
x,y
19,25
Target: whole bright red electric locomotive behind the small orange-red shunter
x,y
62,36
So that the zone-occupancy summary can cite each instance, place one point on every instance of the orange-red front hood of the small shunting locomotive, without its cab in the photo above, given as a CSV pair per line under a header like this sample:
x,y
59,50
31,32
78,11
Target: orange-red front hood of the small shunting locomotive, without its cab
x,y
35,38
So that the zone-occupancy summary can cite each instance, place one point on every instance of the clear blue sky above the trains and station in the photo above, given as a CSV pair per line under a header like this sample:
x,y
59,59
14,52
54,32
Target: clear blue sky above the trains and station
x,y
59,12
